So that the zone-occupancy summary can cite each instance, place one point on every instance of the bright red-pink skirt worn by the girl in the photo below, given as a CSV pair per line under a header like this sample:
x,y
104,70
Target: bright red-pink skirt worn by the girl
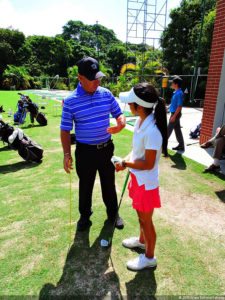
x,y
143,200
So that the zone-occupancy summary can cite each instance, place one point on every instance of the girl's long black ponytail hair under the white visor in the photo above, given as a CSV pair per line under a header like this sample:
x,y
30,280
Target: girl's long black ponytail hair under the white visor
x,y
148,93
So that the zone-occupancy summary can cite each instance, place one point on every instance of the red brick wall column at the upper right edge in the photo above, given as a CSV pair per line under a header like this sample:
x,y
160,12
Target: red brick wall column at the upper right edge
x,y
215,68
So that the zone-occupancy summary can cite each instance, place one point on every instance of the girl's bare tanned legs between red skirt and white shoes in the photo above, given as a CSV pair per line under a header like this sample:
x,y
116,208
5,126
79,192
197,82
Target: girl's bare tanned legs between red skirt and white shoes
x,y
147,233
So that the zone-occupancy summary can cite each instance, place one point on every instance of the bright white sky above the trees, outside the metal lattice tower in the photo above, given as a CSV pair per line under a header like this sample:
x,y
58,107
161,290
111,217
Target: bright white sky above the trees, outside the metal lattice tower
x,y
46,17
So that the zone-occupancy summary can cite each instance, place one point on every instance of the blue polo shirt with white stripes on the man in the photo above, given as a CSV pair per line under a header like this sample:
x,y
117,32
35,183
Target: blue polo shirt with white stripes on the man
x,y
90,113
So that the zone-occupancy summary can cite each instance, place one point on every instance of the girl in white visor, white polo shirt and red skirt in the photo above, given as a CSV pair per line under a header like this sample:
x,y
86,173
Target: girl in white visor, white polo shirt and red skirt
x,y
149,140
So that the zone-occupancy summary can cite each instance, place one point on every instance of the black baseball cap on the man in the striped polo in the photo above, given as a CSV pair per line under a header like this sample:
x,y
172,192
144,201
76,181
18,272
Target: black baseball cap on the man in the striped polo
x,y
89,67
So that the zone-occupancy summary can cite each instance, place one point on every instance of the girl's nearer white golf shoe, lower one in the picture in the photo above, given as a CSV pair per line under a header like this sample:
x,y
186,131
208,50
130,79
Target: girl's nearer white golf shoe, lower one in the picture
x,y
141,262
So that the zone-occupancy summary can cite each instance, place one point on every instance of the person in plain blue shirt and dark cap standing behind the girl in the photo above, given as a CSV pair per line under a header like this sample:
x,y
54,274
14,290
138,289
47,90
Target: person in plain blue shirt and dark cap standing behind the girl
x,y
175,110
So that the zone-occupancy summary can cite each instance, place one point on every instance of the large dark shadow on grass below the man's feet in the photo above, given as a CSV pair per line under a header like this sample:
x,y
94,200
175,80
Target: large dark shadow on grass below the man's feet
x,y
86,272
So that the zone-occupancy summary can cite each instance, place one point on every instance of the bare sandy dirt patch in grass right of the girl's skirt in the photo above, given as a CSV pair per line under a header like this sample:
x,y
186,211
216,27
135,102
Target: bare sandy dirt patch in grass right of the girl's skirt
x,y
198,213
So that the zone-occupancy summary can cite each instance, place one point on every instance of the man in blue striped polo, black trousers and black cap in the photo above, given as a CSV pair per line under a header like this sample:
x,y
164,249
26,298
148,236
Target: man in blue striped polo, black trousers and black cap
x,y
89,108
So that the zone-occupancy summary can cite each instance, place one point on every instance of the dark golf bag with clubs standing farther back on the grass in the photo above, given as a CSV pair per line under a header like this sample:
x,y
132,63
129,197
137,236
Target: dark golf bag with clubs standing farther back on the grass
x,y
33,109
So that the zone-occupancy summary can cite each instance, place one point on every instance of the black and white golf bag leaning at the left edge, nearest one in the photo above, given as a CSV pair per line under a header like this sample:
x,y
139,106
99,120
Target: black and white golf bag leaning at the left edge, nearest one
x,y
17,140
